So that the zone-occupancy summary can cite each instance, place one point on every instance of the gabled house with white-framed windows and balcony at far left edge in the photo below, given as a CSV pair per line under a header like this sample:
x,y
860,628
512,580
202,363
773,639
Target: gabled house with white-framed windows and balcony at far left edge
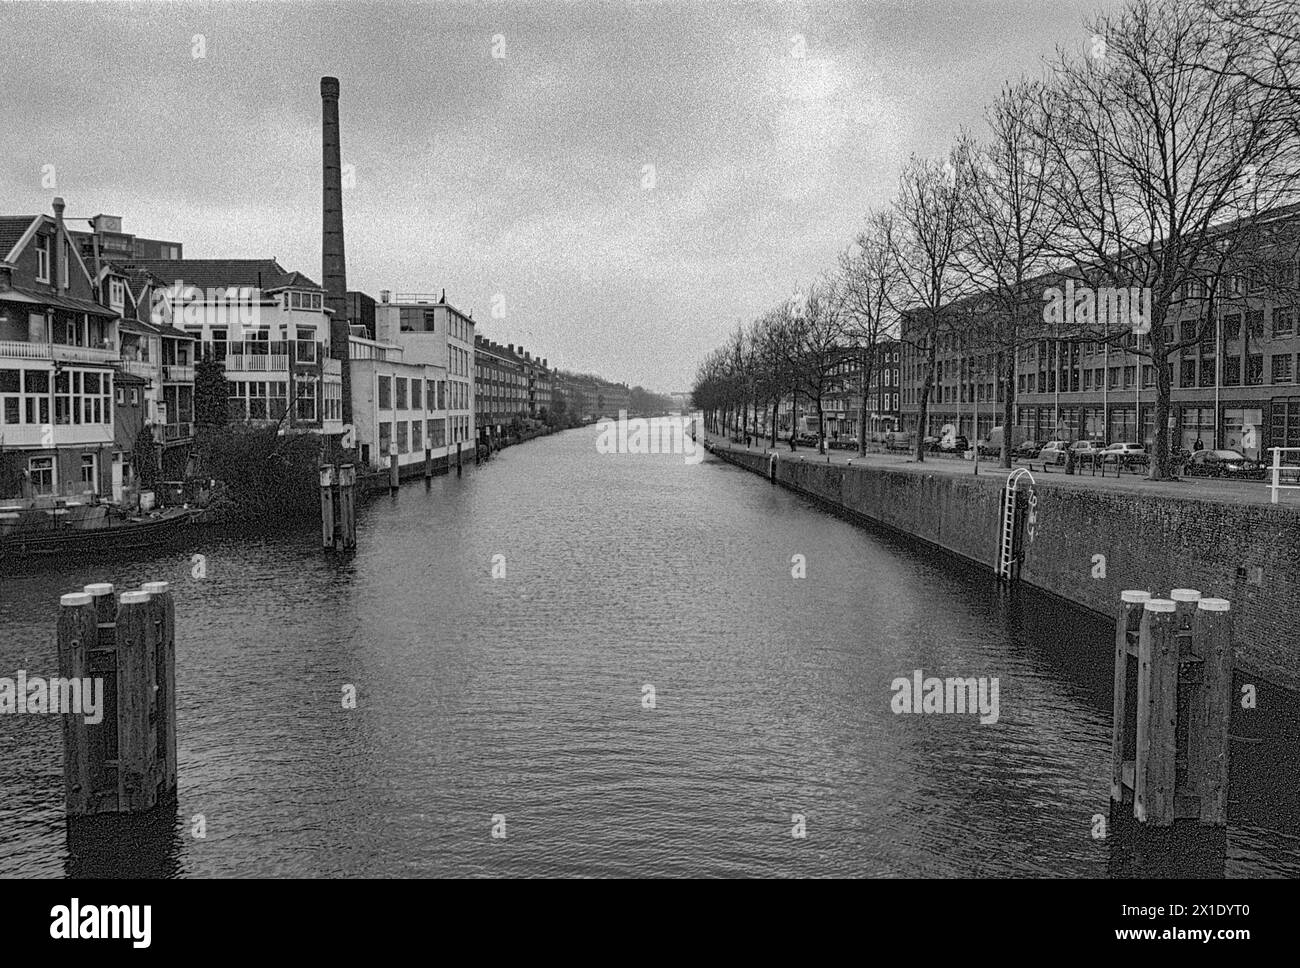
x,y
59,348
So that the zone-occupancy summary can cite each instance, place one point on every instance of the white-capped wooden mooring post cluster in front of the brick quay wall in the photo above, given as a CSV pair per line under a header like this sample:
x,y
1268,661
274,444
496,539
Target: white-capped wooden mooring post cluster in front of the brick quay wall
x,y
1173,698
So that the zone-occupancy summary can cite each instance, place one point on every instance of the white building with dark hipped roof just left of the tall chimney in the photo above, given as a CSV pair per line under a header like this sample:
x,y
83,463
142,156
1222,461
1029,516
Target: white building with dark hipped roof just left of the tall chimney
x,y
267,327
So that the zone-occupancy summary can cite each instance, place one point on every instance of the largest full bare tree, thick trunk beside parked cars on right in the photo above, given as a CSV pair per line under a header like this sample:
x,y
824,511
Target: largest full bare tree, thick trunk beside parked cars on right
x,y
1156,155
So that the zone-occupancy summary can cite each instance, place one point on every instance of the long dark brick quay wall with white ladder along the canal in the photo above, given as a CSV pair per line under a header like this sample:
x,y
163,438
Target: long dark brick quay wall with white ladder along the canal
x,y
1243,553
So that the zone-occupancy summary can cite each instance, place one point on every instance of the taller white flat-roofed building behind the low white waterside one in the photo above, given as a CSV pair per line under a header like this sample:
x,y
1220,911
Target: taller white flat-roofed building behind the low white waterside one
x,y
435,333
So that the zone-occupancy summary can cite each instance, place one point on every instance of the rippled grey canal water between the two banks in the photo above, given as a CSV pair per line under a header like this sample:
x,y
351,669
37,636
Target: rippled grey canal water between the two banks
x,y
521,702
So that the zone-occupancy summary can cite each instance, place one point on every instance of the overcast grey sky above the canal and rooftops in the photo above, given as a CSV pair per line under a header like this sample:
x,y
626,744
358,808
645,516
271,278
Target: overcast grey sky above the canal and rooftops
x,y
519,176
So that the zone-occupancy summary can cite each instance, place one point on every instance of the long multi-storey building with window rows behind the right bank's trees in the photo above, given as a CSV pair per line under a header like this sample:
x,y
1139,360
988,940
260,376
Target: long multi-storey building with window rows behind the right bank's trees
x,y
1237,388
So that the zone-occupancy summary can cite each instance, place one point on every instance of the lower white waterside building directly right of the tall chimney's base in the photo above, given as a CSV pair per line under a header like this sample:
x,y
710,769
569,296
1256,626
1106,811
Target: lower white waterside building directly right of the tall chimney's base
x,y
398,407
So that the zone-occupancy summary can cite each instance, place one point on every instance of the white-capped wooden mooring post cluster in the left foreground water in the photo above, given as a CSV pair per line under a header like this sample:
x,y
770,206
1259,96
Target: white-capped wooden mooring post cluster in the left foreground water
x,y
127,762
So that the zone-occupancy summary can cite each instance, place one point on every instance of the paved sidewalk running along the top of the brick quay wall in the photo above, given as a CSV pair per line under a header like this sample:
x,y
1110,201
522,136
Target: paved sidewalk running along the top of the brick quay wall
x,y
1188,488
